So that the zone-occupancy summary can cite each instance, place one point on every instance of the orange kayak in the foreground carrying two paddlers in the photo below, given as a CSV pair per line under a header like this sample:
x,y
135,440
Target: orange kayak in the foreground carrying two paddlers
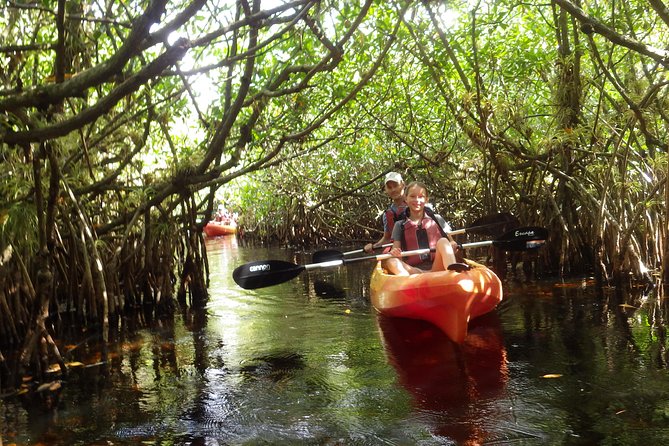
x,y
448,299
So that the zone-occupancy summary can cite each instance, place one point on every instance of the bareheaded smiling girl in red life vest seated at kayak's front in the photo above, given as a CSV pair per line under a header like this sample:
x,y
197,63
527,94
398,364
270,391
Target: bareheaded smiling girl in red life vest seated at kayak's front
x,y
420,229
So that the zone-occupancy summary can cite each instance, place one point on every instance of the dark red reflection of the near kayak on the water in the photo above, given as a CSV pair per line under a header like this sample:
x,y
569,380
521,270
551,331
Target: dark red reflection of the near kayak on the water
x,y
455,386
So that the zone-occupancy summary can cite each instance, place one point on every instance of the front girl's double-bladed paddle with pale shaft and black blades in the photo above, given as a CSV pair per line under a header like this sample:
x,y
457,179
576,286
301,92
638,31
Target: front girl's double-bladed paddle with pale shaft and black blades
x,y
264,273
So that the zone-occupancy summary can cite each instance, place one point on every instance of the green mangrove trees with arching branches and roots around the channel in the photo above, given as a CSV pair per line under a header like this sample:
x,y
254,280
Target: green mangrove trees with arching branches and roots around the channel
x,y
124,125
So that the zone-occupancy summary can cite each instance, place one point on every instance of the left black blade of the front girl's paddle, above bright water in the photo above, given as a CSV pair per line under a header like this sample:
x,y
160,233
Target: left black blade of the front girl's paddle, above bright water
x,y
264,273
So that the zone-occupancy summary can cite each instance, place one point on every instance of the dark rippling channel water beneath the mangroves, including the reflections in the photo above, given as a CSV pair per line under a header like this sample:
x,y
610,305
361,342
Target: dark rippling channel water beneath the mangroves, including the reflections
x,y
309,362
